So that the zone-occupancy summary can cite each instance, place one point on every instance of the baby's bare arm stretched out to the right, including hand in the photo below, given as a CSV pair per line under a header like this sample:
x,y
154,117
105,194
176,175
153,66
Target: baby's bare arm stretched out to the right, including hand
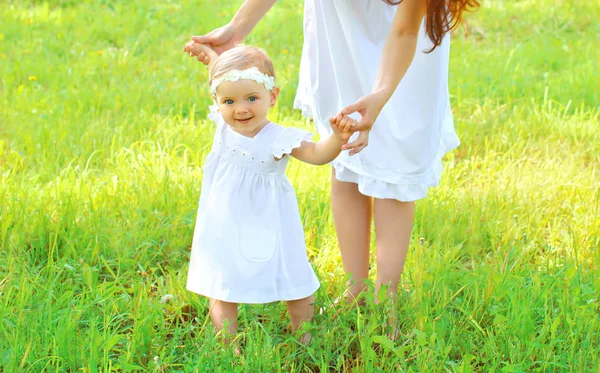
x,y
326,149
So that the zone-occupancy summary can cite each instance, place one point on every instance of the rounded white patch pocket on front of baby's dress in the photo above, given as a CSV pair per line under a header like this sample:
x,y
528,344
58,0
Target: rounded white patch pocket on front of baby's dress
x,y
257,242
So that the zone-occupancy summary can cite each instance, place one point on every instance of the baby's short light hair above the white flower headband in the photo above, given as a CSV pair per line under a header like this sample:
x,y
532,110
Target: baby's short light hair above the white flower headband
x,y
242,57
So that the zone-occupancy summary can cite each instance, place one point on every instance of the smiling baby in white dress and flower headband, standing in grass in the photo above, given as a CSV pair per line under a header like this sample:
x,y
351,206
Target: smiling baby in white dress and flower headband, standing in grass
x,y
248,244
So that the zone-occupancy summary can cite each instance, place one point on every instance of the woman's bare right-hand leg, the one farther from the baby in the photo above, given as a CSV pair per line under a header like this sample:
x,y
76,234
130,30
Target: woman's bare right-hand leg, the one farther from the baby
x,y
393,227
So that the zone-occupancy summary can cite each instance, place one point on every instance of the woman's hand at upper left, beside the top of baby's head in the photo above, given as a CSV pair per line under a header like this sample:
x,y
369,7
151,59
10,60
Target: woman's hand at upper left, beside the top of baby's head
x,y
220,40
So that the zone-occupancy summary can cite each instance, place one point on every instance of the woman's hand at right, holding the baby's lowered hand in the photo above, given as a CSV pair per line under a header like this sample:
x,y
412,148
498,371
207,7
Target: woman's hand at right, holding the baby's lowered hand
x,y
368,107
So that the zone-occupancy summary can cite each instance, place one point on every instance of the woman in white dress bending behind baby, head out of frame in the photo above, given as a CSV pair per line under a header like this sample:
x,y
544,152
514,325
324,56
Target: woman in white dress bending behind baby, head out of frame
x,y
397,51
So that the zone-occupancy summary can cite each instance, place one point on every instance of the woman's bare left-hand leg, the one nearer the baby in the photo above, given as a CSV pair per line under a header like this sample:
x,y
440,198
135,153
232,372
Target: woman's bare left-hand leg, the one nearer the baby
x,y
352,212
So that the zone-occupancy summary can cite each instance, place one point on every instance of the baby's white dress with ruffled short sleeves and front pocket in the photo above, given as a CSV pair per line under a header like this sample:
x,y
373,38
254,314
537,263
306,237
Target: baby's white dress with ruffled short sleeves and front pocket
x,y
248,244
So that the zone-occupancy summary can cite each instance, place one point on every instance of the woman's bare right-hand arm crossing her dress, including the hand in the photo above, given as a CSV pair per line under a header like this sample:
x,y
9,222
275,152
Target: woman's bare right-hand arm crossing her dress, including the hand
x,y
398,52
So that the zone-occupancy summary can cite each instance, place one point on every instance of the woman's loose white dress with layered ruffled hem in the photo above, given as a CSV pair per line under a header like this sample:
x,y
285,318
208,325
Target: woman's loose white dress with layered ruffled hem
x,y
343,43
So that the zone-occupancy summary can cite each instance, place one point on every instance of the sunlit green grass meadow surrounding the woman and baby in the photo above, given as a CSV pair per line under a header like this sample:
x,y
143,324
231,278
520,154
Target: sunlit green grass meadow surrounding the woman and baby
x,y
102,134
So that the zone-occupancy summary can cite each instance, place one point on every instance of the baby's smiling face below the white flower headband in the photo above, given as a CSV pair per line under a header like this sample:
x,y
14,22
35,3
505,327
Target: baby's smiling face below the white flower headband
x,y
244,105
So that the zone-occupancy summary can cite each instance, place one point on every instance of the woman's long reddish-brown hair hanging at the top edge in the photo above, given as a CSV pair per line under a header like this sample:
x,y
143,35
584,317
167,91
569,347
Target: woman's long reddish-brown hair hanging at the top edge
x,y
443,16
